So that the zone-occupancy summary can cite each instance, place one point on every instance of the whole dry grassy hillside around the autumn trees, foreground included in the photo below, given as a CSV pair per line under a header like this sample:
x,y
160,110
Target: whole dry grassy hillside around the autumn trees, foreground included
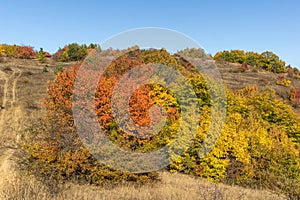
x,y
23,85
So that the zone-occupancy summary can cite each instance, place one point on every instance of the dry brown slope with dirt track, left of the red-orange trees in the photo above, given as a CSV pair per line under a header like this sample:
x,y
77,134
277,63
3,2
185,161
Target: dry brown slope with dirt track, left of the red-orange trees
x,y
23,86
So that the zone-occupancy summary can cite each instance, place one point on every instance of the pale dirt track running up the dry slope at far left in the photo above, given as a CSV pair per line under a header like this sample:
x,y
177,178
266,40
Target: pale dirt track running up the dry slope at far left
x,y
10,120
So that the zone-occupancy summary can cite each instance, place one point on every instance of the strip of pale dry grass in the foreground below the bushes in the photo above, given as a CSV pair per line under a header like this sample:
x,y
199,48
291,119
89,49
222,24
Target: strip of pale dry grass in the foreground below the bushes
x,y
172,186
